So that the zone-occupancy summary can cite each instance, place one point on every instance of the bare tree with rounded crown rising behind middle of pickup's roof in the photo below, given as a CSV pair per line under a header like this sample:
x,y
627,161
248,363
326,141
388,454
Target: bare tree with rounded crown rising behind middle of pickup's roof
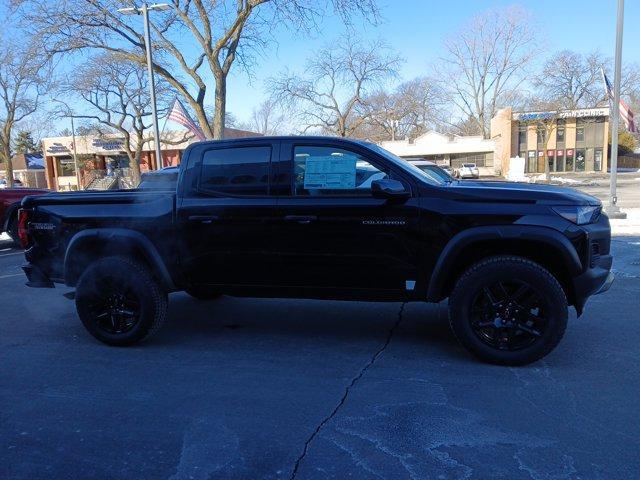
x,y
337,81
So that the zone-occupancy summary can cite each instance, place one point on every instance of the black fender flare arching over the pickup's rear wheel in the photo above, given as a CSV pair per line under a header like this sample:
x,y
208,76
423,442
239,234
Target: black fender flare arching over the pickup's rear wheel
x,y
111,236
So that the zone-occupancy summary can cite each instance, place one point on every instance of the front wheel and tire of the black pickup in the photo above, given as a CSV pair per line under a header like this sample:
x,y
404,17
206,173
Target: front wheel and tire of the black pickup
x,y
508,310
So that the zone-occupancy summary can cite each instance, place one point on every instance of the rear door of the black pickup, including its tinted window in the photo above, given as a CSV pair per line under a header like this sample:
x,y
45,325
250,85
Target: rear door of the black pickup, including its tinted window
x,y
226,212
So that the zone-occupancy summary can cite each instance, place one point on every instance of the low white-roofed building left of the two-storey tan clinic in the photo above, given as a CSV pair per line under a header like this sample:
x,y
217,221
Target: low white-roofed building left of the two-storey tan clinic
x,y
451,150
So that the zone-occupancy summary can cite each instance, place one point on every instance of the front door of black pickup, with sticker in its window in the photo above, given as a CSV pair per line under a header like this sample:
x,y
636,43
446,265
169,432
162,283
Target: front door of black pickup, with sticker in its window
x,y
332,233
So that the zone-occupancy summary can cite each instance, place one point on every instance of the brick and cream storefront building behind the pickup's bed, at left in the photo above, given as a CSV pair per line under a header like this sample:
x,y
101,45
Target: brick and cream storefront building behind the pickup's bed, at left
x,y
98,154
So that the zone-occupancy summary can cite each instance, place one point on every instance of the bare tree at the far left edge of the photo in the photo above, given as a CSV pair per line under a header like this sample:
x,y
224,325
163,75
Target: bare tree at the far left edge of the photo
x,y
23,81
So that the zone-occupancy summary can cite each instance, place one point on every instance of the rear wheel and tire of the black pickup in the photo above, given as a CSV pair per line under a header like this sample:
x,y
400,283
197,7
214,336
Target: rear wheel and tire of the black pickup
x,y
119,301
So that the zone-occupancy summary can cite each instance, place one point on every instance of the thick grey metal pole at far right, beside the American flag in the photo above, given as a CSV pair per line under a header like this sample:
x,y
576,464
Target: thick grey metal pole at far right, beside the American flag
x,y
612,208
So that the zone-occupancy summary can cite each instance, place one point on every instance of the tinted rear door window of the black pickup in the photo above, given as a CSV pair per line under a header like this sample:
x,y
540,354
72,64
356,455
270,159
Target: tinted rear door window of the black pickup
x,y
236,171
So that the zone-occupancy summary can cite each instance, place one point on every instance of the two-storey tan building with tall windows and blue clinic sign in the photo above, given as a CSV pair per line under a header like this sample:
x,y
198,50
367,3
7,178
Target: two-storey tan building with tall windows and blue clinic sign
x,y
569,140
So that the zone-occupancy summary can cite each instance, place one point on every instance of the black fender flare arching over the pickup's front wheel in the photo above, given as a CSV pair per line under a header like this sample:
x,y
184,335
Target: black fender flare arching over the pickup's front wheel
x,y
463,239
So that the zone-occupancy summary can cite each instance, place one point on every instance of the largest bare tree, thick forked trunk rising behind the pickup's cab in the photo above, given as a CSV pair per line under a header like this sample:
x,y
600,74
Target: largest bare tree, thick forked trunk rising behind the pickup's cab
x,y
219,34
